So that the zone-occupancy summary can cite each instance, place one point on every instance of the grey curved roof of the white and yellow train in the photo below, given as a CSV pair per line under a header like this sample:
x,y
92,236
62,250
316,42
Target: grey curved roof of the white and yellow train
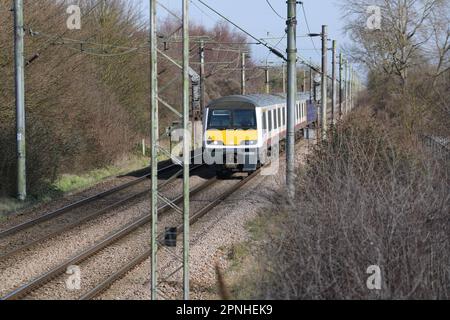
x,y
259,100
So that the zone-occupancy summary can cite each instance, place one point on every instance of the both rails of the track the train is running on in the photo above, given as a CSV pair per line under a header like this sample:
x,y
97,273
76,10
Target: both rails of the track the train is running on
x,y
114,238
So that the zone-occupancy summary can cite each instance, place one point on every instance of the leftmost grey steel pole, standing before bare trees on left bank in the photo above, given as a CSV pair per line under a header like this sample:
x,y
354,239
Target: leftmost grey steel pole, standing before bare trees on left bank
x,y
20,99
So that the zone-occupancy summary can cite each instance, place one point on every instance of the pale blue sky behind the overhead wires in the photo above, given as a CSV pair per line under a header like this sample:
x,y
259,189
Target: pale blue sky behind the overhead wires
x,y
256,17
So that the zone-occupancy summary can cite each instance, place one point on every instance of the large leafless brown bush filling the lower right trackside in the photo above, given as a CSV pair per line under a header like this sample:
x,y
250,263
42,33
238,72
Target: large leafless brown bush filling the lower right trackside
x,y
364,198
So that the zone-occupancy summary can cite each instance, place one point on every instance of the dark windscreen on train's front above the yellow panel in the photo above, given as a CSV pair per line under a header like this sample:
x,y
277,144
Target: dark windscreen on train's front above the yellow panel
x,y
244,119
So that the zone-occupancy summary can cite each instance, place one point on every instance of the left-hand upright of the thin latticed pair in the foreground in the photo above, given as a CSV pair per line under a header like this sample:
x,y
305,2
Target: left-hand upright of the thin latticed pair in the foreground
x,y
154,148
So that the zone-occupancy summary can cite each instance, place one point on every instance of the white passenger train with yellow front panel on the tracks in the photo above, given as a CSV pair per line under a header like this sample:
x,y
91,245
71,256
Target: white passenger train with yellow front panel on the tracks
x,y
238,131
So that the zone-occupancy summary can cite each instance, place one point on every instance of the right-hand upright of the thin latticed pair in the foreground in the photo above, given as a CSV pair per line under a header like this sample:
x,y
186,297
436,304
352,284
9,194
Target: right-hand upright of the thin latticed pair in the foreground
x,y
186,149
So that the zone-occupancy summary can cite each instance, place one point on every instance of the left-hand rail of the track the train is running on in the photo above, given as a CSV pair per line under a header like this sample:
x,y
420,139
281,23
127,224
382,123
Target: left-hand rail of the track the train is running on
x,y
85,254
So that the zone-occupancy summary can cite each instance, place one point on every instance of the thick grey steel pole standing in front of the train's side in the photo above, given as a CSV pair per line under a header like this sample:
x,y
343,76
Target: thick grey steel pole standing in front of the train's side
x,y
291,96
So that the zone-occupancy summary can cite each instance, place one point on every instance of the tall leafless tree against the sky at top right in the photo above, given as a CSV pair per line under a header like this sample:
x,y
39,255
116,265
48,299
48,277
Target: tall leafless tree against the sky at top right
x,y
412,32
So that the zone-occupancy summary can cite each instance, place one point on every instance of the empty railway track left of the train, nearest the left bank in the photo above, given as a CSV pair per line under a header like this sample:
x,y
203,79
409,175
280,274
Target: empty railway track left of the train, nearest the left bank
x,y
25,235
